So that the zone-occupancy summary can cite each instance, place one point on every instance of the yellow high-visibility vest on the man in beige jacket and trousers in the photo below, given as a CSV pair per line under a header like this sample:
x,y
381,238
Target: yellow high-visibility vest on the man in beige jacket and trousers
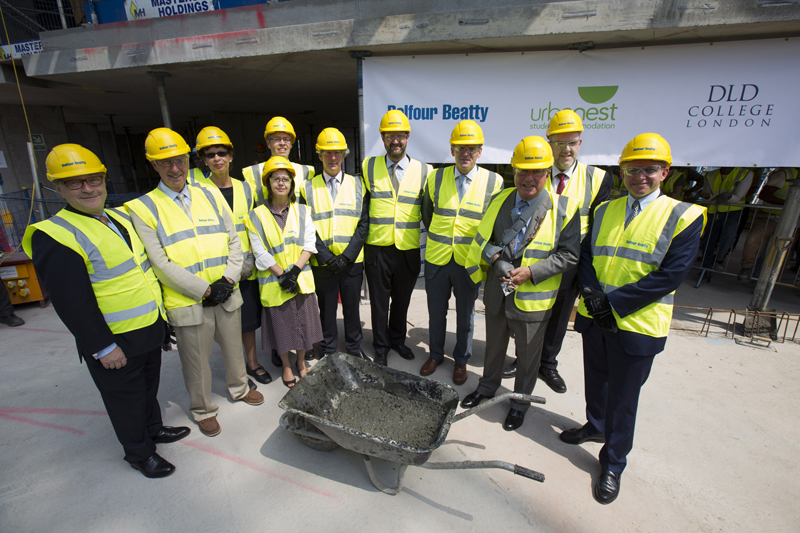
x,y
199,246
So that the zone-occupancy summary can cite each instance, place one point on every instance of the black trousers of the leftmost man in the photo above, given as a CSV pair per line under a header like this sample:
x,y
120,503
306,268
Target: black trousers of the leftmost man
x,y
129,394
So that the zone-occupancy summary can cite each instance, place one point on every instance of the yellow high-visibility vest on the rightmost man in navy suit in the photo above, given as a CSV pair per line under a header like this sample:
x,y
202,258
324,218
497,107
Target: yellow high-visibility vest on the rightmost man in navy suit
x,y
621,255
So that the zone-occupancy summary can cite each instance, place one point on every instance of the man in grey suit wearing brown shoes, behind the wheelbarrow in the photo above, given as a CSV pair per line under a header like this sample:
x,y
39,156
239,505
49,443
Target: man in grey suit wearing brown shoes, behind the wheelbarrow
x,y
456,197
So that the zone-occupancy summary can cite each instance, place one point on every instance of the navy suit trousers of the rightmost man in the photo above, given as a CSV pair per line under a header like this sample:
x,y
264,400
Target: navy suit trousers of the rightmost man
x,y
613,381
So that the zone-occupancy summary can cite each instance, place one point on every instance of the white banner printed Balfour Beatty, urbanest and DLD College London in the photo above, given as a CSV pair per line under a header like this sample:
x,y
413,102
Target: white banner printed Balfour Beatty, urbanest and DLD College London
x,y
726,104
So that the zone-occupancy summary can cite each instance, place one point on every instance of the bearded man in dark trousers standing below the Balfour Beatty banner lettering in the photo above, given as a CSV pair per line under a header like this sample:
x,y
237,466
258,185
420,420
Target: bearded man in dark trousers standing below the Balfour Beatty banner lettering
x,y
392,255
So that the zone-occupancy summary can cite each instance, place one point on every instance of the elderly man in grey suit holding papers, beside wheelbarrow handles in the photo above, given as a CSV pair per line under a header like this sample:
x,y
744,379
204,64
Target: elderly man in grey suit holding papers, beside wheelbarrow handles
x,y
527,239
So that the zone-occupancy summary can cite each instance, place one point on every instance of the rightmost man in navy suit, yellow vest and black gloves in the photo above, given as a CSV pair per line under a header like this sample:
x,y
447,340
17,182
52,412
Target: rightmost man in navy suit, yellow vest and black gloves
x,y
640,250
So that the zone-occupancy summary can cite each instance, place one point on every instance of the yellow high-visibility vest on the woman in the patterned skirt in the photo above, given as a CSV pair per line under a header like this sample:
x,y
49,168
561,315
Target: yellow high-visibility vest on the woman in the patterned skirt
x,y
285,247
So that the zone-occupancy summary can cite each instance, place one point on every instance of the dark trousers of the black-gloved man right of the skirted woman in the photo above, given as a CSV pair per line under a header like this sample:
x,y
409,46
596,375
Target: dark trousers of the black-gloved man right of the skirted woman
x,y
328,288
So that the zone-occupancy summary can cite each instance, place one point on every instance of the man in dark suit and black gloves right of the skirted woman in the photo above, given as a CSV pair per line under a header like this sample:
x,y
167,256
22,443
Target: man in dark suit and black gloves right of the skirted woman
x,y
340,210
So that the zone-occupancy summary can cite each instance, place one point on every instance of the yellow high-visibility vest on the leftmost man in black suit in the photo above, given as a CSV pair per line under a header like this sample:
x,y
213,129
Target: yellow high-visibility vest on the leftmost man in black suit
x,y
127,291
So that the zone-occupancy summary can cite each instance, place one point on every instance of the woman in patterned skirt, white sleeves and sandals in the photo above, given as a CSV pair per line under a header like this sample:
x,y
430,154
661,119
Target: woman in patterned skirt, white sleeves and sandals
x,y
283,237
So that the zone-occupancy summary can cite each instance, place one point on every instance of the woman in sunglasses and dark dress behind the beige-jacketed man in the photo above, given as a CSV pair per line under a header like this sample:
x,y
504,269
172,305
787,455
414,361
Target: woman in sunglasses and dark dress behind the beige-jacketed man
x,y
216,149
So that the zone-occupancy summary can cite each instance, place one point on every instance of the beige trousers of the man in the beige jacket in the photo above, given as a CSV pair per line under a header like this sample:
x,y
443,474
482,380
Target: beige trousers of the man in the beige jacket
x,y
194,347
